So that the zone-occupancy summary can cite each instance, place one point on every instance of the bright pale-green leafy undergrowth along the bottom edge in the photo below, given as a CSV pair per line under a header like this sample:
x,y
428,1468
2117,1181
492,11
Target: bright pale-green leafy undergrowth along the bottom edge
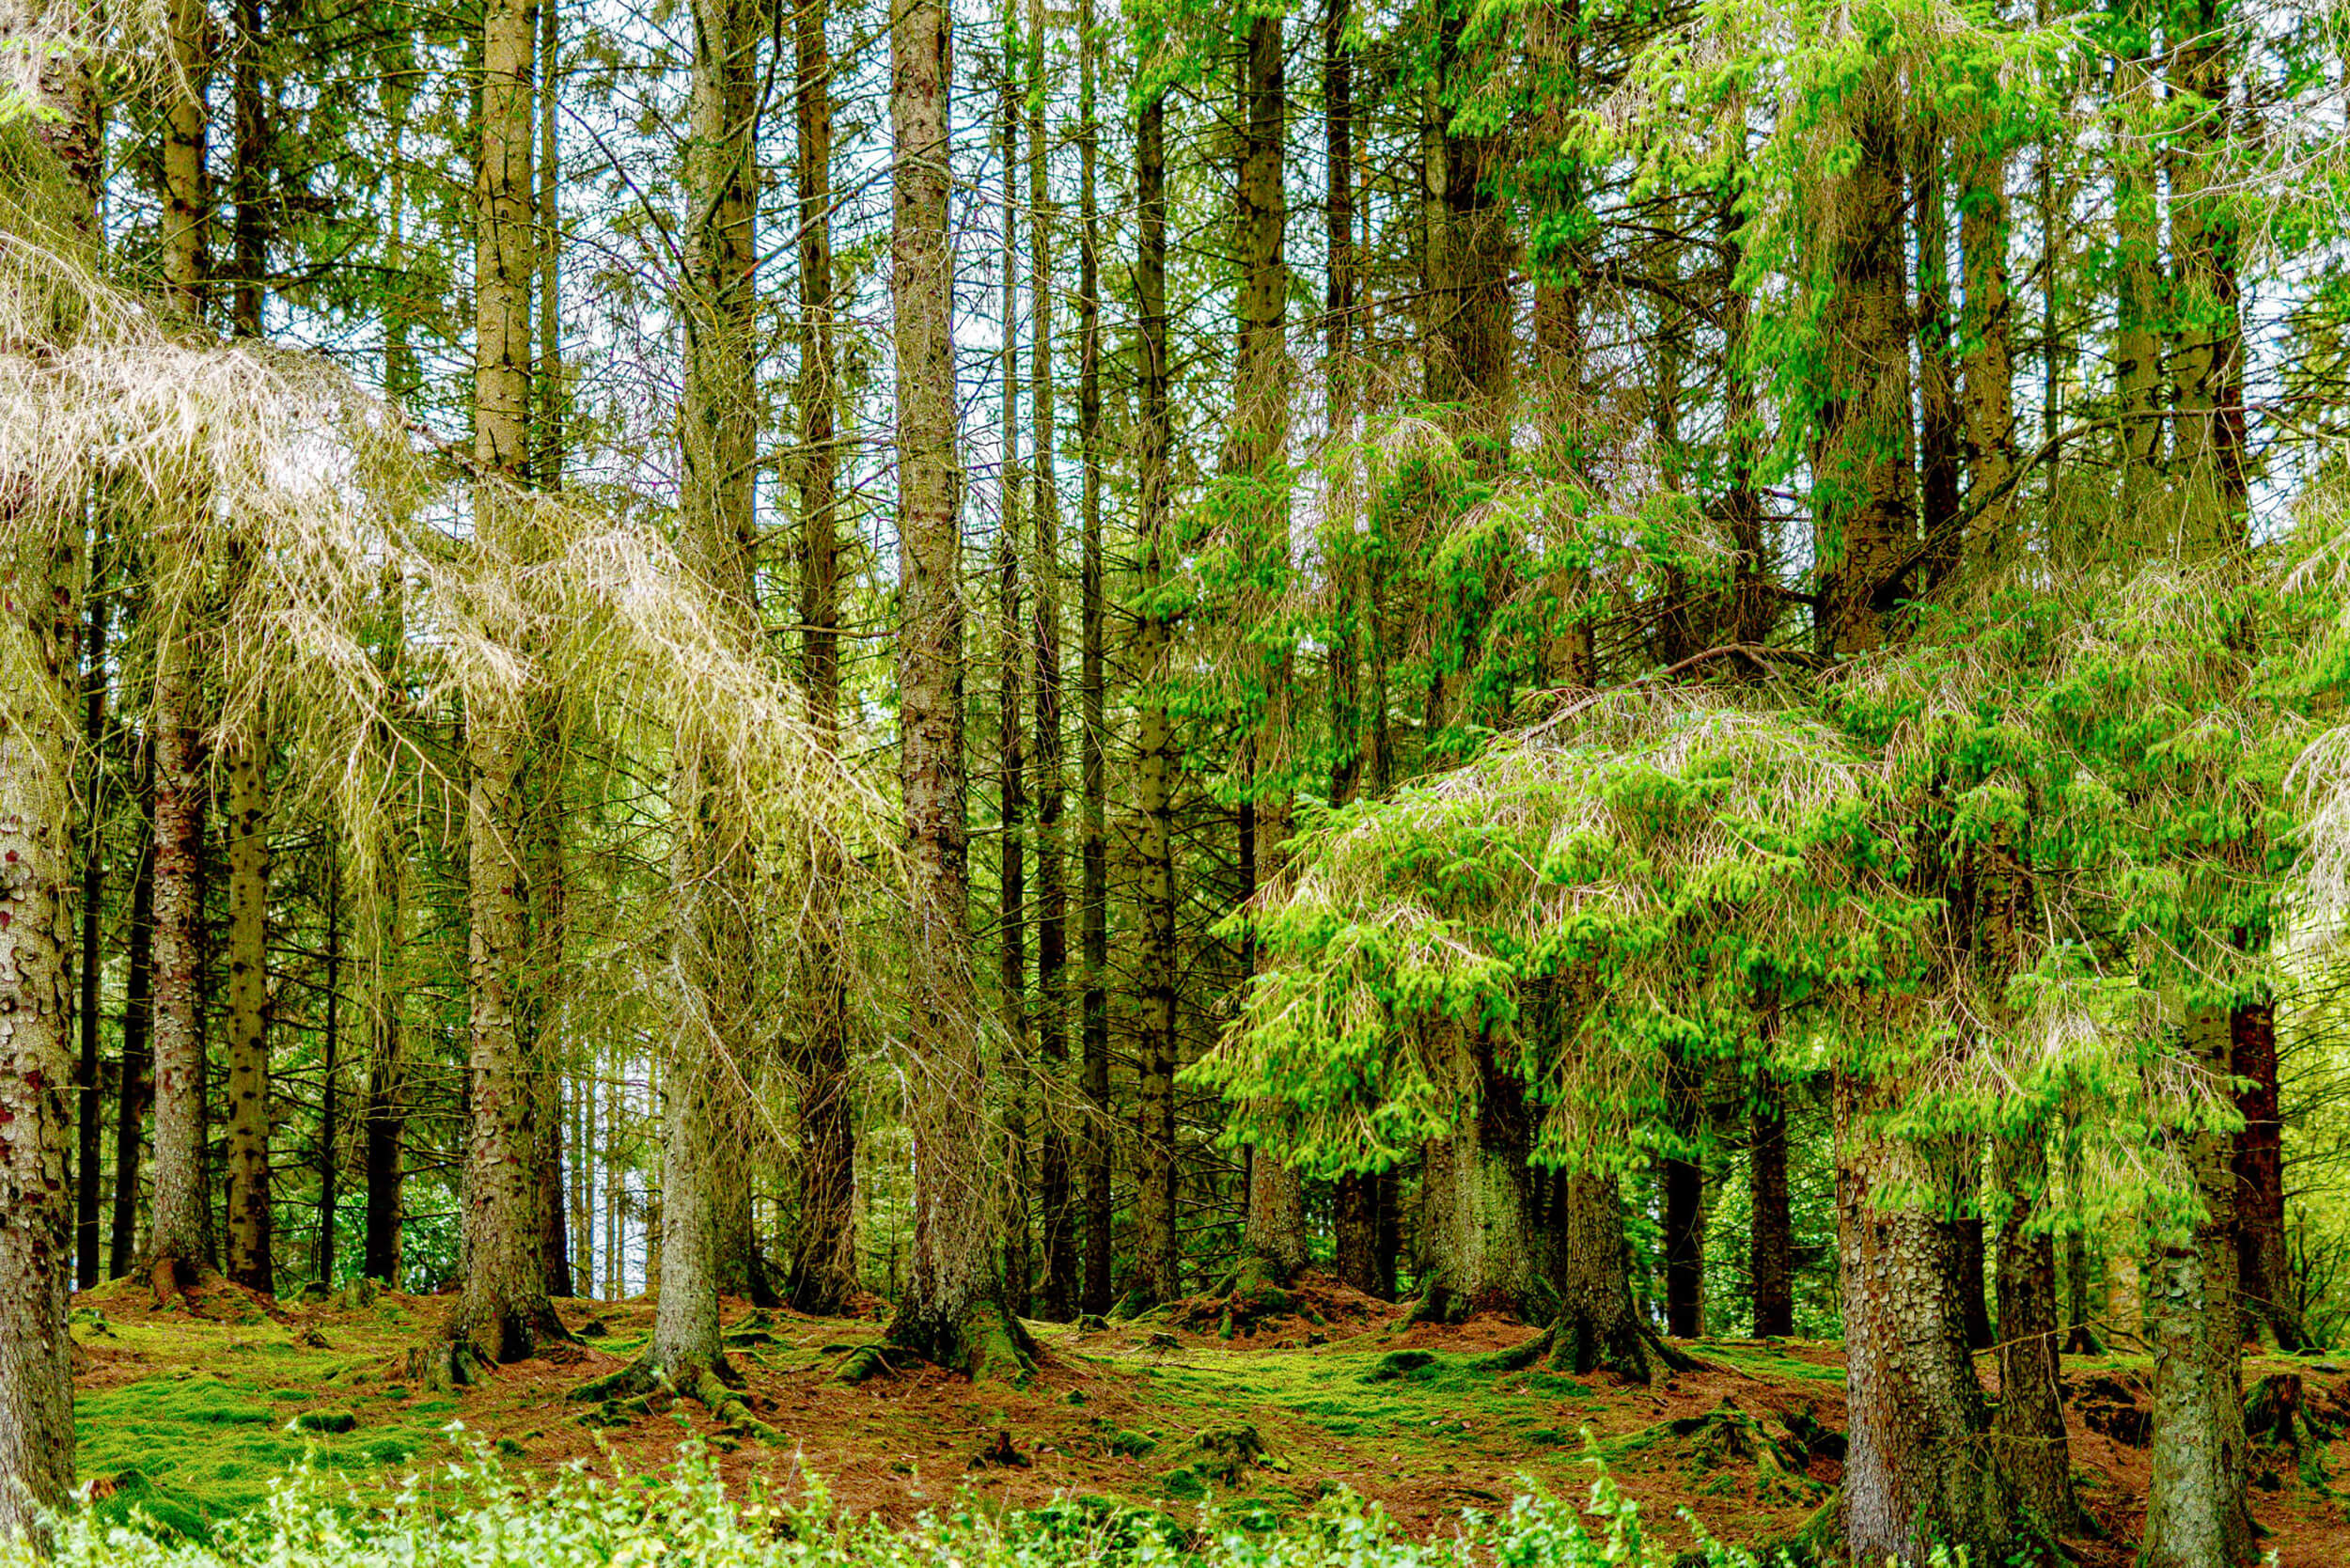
x,y
478,1515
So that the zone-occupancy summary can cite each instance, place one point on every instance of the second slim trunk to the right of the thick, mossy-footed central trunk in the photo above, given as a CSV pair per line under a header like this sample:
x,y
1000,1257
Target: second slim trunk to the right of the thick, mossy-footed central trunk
x,y
1059,1231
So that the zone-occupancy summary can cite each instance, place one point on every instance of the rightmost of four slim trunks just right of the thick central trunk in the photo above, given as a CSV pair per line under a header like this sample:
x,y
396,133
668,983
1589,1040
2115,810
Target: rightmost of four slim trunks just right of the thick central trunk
x,y
1155,730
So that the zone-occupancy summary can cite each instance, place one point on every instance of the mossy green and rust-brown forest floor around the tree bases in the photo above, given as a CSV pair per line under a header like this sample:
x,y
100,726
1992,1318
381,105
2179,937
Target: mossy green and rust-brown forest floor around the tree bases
x,y
194,1409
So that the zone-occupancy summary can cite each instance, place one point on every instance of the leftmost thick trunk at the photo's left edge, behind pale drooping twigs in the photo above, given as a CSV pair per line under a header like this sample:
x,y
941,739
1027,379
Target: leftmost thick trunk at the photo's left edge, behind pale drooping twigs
x,y
41,608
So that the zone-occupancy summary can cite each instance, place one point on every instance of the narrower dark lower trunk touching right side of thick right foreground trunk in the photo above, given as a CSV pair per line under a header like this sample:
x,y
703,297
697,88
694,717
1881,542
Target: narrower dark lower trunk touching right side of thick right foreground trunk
x,y
2029,1423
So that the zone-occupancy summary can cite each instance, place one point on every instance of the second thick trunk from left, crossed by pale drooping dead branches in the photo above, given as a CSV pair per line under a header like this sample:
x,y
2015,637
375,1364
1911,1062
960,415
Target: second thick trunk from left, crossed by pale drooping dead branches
x,y
177,1224
